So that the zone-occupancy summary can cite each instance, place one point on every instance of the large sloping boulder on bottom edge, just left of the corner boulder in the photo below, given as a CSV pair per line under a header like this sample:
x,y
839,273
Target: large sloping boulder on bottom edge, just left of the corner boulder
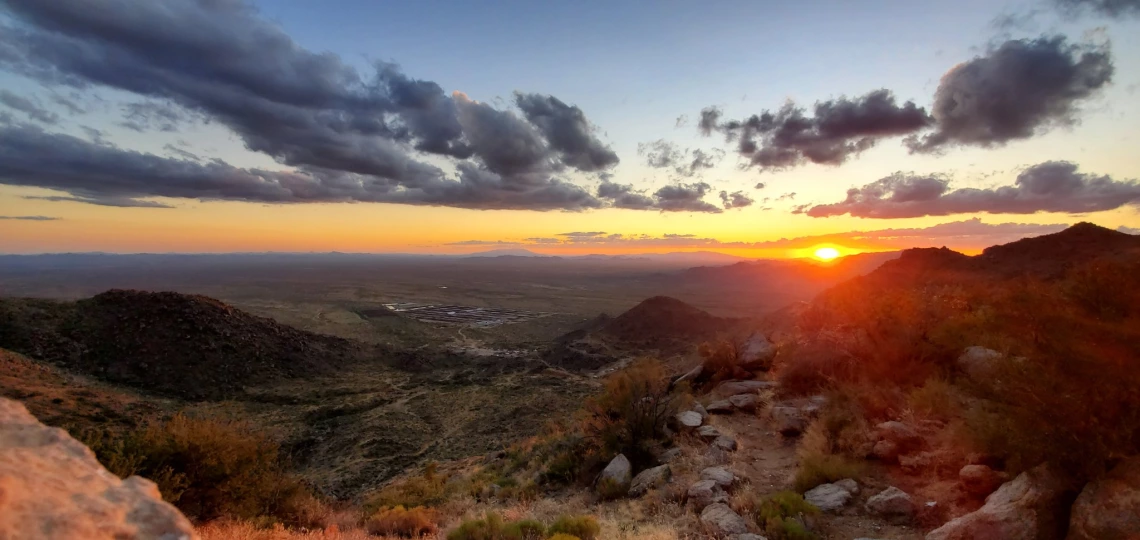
x,y
1030,508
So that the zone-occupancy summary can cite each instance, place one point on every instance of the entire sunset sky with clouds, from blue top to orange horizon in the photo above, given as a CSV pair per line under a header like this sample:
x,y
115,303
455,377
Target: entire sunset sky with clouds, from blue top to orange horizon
x,y
759,129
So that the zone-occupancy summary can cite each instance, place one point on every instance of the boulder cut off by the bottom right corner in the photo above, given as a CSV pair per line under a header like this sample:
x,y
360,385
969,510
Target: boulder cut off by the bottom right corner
x,y
1110,508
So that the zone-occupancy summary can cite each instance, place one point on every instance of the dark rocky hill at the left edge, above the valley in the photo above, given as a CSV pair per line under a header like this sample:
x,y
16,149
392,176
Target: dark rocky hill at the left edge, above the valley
x,y
184,346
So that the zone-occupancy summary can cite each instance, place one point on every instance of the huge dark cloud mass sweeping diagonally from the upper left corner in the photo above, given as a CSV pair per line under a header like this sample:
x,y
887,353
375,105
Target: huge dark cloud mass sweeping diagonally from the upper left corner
x,y
349,136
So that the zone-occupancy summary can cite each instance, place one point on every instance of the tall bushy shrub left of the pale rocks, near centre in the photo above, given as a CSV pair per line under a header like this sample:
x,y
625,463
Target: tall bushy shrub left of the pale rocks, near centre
x,y
631,413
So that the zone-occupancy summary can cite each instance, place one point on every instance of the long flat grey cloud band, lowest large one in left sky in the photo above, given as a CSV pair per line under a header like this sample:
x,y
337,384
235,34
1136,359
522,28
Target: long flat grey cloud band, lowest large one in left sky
x,y
104,175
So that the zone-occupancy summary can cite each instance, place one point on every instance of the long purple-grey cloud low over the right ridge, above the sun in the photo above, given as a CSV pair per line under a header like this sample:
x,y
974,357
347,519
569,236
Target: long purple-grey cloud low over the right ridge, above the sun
x,y
1045,187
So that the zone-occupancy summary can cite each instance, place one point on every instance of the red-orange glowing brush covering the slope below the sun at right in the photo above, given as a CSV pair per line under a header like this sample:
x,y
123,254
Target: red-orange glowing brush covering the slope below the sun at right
x,y
1065,390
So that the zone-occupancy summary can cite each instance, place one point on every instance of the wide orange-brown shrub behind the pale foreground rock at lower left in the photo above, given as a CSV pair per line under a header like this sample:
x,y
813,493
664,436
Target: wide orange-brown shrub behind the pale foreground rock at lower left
x,y
208,468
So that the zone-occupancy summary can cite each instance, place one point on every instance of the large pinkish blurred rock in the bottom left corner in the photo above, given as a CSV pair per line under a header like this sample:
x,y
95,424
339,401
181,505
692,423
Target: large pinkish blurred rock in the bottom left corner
x,y
52,487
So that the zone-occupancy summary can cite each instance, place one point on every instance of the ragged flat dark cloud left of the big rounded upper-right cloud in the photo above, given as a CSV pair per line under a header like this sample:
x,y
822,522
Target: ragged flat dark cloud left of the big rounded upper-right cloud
x,y
835,132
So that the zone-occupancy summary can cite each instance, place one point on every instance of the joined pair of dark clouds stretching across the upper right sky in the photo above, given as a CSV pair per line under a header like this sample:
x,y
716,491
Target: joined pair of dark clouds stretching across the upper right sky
x,y
1016,91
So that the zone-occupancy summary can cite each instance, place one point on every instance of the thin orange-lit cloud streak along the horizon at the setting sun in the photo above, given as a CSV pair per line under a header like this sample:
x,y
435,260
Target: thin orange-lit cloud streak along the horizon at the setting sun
x,y
968,235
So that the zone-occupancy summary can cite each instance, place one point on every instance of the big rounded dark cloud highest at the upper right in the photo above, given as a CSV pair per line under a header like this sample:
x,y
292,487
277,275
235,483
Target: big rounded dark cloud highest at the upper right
x,y
1017,91
